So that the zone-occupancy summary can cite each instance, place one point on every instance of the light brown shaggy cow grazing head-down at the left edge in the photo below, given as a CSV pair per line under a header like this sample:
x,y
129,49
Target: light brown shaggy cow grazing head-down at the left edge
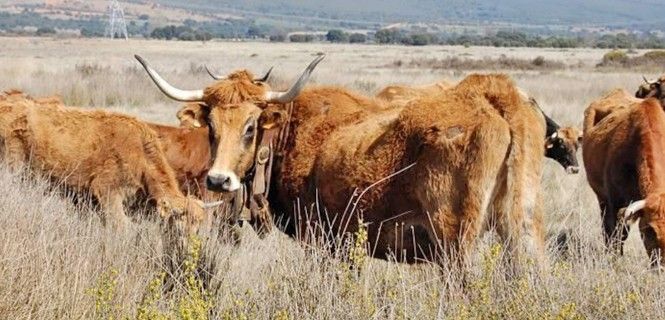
x,y
112,156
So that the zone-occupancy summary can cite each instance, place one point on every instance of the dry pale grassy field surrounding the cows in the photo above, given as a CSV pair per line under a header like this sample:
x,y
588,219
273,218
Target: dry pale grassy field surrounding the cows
x,y
57,261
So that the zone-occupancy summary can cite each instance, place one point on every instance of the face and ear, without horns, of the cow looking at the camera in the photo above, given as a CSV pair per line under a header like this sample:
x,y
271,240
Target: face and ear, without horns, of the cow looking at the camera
x,y
234,133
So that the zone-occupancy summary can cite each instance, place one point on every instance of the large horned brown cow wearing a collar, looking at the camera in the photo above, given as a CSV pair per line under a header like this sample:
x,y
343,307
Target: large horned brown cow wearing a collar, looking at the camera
x,y
466,155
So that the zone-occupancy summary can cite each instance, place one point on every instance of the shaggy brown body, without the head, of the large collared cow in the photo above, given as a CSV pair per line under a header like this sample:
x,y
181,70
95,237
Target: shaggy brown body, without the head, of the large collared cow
x,y
462,148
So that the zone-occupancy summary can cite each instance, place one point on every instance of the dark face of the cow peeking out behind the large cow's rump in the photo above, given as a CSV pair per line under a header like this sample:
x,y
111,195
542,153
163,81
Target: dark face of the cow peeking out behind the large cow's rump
x,y
562,146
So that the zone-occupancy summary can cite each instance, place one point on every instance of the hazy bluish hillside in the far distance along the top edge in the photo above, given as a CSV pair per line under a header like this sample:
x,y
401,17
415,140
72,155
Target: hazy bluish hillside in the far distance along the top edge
x,y
615,13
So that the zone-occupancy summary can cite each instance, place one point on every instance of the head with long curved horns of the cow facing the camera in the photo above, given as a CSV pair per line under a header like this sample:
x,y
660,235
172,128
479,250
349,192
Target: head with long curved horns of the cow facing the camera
x,y
234,123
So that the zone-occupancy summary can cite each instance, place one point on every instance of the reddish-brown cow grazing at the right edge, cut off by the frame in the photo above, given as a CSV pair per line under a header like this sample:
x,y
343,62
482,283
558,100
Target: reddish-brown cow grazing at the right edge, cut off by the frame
x,y
624,158
